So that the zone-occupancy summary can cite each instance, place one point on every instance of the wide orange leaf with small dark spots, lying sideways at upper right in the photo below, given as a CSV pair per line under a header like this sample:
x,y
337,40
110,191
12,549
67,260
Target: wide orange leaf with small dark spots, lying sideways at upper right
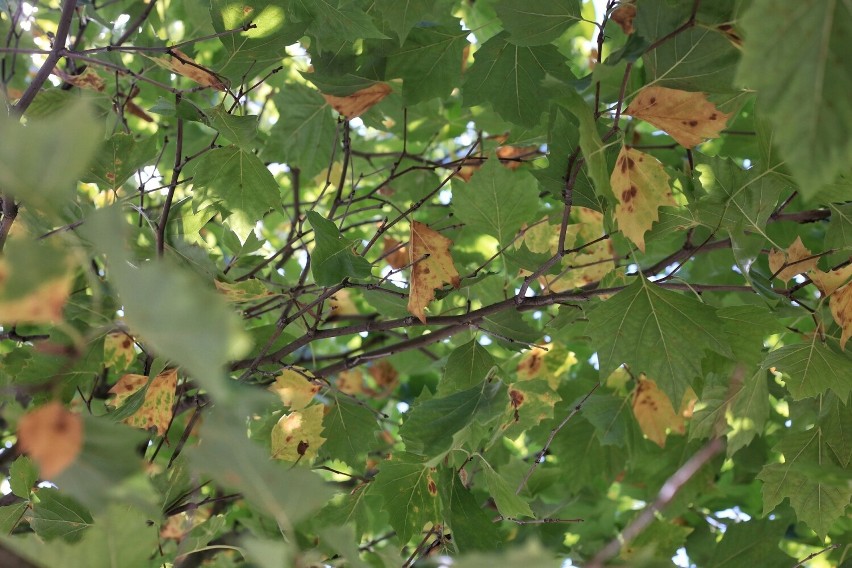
x,y
687,117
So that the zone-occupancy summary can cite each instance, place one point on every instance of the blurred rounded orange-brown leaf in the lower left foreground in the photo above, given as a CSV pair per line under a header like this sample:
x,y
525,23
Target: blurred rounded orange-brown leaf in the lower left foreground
x,y
52,436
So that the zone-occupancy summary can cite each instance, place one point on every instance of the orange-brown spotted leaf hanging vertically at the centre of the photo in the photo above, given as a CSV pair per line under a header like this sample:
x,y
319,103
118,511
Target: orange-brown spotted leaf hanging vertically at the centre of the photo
x,y
431,267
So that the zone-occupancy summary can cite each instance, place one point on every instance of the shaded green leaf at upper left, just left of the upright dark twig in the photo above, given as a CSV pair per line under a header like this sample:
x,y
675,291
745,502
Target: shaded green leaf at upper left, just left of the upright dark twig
x,y
119,158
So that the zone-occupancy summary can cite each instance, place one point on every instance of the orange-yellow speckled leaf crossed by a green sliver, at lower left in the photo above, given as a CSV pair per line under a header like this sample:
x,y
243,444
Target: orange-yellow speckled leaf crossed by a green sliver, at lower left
x,y
156,409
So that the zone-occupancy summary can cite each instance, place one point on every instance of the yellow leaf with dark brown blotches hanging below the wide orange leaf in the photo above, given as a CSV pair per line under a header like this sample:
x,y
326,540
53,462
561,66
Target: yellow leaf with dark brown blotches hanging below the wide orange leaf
x,y
641,186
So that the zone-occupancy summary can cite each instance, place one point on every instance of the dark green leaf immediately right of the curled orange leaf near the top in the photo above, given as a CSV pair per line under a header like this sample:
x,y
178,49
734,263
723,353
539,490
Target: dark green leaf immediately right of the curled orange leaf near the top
x,y
429,63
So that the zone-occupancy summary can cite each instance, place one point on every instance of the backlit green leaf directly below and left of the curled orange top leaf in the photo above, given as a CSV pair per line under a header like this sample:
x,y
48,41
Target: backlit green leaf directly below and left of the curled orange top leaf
x,y
304,135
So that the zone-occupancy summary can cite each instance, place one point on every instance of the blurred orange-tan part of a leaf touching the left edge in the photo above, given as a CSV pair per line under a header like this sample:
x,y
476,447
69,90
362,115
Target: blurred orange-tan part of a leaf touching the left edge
x,y
42,305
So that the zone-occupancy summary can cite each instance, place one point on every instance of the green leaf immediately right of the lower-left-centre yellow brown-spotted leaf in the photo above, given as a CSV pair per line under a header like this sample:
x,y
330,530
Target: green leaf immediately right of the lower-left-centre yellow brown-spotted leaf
x,y
350,430
